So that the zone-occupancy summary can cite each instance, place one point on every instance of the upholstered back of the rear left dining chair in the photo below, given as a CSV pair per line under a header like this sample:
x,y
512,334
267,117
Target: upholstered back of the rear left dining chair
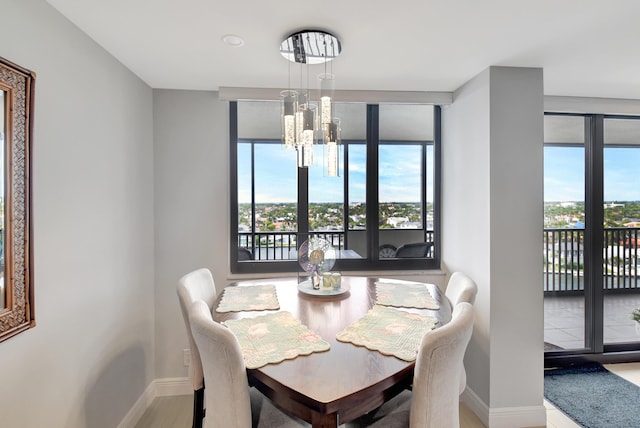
x,y
196,285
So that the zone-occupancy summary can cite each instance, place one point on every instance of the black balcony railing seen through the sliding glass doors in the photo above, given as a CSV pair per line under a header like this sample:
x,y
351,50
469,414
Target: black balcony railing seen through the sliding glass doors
x,y
563,251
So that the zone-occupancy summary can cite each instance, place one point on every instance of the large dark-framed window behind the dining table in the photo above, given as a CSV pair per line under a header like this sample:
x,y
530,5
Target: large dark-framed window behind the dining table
x,y
381,211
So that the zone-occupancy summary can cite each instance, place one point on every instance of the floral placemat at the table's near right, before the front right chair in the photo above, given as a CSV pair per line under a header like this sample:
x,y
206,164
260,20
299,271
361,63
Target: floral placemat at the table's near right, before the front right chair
x,y
389,331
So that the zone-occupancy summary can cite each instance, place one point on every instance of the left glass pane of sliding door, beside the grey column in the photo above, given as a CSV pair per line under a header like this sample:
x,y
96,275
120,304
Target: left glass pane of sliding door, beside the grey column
x,y
564,227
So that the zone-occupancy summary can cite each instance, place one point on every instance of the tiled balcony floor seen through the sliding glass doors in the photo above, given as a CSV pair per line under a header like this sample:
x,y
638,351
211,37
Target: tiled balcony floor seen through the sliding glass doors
x,y
564,320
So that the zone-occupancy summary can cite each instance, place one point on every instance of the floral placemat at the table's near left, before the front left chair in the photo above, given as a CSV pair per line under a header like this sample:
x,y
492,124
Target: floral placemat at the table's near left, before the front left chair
x,y
273,338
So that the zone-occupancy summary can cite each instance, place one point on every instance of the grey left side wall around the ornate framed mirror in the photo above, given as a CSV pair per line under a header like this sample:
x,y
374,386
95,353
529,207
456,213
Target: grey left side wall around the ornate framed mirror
x,y
90,357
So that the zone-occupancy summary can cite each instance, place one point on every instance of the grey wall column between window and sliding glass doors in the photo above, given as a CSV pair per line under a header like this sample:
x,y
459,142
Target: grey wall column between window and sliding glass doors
x,y
492,221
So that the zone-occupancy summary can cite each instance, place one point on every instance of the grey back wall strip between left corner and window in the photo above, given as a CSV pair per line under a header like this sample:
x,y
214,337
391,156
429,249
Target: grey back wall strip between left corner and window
x,y
192,207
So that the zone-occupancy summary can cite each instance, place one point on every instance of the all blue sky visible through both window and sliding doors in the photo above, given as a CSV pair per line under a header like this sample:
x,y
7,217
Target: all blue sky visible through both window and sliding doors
x,y
400,172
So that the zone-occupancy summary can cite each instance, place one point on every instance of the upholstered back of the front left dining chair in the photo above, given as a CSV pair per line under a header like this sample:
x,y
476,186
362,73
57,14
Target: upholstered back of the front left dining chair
x,y
223,367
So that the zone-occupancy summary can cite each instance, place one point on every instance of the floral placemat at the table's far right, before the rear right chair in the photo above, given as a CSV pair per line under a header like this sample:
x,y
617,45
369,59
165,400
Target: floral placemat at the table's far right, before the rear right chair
x,y
405,295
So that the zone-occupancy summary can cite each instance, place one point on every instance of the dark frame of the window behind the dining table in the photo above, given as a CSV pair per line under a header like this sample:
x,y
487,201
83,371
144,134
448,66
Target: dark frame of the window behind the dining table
x,y
372,261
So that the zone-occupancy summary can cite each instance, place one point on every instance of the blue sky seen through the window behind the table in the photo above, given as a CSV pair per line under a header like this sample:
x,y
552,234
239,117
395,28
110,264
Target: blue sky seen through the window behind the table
x,y
275,179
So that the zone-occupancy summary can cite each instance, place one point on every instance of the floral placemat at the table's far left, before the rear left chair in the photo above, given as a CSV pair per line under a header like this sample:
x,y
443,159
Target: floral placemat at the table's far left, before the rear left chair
x,y
249,298
